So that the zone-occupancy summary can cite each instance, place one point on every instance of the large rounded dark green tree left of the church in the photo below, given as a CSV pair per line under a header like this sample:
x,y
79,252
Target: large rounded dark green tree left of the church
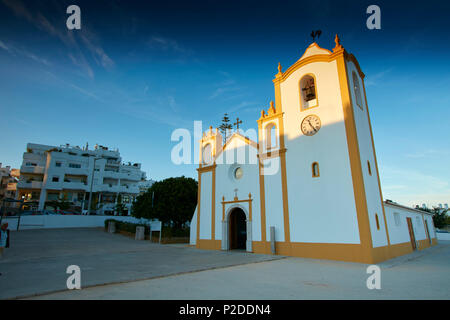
x,y
171,201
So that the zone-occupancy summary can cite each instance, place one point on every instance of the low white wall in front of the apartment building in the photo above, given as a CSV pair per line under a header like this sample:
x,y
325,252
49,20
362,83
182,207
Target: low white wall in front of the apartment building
x,y
65,221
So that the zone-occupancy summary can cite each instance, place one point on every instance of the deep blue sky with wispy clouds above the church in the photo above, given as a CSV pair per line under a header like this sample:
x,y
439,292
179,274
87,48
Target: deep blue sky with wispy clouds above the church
x,y
137,70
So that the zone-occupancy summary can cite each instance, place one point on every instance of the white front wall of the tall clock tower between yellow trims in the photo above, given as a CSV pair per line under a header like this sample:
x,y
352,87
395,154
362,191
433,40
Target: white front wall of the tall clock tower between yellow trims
x,y
321,210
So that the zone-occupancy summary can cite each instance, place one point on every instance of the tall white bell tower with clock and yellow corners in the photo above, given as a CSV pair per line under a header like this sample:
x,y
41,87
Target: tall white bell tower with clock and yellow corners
x,y
330,168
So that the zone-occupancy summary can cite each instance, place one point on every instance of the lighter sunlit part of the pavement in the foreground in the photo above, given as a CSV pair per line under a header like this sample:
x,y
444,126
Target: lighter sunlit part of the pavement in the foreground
x,y
420,275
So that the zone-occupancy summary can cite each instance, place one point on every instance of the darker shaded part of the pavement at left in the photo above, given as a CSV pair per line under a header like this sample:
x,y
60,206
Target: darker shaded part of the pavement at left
x,y
37,261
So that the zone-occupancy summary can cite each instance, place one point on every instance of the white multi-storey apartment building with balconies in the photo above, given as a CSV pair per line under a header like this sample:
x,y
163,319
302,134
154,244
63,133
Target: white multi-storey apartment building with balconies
x,y
67,172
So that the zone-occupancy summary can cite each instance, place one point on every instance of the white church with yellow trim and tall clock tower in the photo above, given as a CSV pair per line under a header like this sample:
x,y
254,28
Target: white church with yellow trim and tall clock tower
x,y
309,186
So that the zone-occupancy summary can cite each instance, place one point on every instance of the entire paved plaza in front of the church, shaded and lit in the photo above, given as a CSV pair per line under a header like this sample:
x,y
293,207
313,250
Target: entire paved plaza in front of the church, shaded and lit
x,y
114,266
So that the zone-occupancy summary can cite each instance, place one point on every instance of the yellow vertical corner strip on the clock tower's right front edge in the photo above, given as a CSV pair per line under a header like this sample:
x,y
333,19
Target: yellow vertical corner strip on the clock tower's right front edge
x,y
355,160
